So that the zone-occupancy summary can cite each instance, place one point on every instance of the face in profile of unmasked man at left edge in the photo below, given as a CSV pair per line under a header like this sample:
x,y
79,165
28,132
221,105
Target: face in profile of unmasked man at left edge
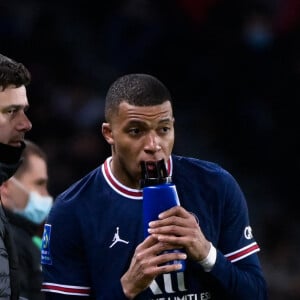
x,y
13,120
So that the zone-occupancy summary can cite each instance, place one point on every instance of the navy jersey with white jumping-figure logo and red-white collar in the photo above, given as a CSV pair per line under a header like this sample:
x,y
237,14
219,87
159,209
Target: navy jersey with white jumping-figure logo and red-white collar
x,y
96,224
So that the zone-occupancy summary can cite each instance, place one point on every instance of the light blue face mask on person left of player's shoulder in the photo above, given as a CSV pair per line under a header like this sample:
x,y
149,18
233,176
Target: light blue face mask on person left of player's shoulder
x,y
37,208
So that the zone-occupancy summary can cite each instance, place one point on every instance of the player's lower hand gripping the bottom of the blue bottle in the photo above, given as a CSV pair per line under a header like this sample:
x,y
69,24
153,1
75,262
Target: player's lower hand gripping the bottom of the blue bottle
x,y
147,263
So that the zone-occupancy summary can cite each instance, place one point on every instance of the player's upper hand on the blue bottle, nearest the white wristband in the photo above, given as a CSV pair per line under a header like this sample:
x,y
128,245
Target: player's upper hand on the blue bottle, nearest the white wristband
x,y
180,228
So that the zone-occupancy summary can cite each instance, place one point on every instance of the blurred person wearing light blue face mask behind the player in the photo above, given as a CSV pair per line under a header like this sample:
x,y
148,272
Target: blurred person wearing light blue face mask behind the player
x,y
27,202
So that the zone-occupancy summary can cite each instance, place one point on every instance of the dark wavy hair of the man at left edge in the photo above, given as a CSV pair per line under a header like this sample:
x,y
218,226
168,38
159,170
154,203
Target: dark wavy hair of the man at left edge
x,y
13,73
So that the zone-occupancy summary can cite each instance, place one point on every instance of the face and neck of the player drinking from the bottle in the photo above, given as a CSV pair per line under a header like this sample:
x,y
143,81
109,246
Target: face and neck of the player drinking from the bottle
x,y
139,133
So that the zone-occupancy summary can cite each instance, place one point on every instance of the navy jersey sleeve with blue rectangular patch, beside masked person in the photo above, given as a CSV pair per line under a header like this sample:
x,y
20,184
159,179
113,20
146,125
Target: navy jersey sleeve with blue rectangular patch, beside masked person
x,y
62,255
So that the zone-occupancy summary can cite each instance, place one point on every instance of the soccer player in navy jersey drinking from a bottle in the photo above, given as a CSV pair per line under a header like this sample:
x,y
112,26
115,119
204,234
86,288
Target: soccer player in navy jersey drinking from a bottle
x,y
93,242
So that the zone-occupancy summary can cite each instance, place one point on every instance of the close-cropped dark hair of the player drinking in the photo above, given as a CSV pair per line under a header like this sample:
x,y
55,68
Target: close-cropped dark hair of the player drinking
x,y
135,89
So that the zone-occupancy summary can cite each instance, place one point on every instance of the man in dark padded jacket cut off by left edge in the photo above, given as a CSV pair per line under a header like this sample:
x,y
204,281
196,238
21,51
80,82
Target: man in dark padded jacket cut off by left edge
x,y
14,78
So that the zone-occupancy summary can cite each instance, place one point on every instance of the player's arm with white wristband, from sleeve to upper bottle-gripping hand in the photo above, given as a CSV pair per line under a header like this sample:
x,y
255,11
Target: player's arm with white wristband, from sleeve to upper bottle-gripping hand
x,y
241,277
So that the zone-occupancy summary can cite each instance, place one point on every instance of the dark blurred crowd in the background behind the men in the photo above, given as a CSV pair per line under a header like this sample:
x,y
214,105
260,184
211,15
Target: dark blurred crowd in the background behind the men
x,y
233,68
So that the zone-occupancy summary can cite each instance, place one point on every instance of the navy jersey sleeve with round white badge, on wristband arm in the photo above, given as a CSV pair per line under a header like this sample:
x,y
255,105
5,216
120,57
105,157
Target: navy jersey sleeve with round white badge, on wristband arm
x,y
237,266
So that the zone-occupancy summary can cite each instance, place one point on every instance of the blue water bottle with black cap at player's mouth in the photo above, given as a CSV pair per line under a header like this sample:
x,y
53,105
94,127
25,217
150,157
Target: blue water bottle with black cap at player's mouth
x,y
159,194
